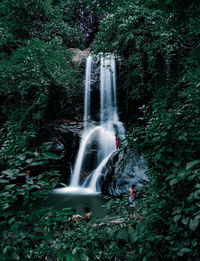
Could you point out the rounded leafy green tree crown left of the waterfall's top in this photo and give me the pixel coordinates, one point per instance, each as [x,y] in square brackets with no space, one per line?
[32,74]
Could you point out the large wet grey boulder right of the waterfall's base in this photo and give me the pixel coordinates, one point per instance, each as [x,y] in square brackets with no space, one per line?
[123,169]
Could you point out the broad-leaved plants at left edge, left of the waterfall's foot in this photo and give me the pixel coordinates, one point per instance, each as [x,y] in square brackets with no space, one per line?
[12,180]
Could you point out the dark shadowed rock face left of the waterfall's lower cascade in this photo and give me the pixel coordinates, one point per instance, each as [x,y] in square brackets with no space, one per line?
[64,135]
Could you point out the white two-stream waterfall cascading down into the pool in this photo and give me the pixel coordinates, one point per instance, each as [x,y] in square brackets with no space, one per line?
[98,142]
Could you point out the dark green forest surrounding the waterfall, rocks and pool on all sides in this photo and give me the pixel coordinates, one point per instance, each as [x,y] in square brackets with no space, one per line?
[158,43]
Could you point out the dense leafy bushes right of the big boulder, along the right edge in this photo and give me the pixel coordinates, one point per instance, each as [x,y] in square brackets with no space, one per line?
[169,142]
